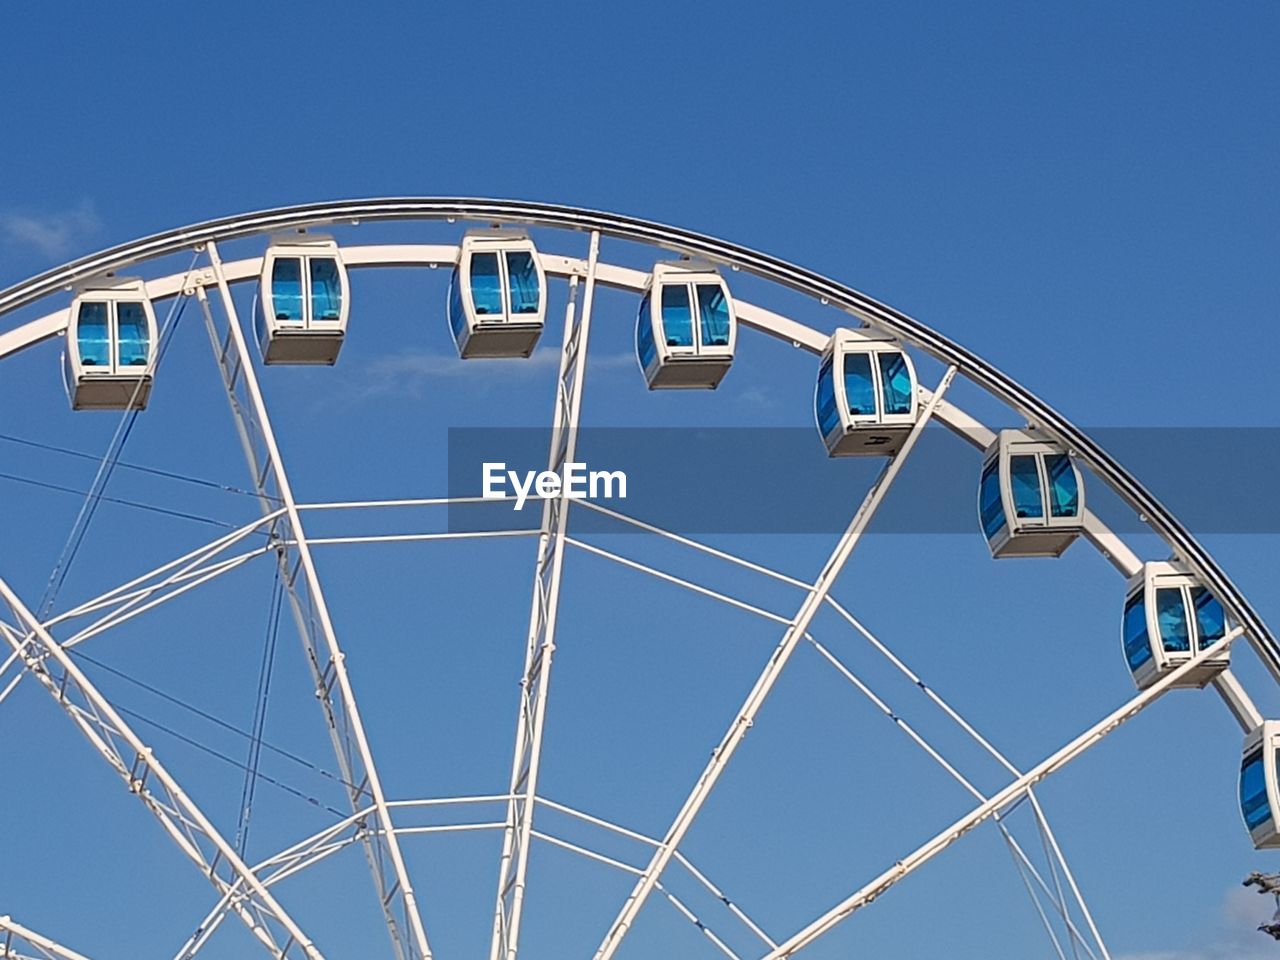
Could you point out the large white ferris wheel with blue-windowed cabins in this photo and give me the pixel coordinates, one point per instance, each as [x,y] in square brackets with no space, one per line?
[877,382]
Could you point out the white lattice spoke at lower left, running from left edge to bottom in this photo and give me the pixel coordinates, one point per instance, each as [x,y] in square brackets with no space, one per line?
[157,789]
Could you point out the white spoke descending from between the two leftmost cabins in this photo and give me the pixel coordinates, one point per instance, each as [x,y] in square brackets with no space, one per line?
[312,615]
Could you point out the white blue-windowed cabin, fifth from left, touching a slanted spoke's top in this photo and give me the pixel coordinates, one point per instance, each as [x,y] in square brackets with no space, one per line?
[866,399]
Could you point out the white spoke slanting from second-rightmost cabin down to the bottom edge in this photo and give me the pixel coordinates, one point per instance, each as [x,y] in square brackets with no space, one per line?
[999,802]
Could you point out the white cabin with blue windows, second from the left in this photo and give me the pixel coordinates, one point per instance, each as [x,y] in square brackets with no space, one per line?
[303,301]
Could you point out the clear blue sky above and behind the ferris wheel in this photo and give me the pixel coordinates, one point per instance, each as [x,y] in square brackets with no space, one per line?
[1084,194]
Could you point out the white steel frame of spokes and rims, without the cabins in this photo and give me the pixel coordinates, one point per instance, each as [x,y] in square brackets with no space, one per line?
[245,893]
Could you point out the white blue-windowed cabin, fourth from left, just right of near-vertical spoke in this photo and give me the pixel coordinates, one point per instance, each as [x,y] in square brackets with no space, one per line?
[687,328]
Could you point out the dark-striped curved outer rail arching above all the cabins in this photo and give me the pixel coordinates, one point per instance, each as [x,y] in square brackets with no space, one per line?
[881,316]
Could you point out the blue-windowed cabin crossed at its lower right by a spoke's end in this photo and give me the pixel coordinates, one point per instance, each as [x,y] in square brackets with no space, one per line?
[1169,618]
